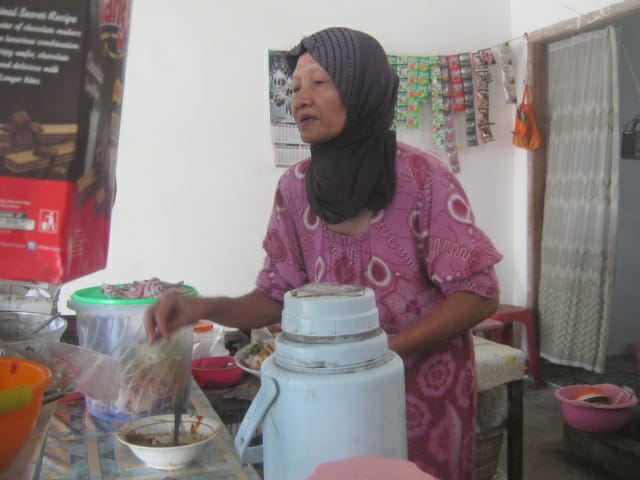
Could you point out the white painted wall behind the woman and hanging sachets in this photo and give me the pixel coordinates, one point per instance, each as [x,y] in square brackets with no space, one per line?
[195,170]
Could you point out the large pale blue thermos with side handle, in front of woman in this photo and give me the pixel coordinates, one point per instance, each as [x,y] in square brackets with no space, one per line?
[332,389]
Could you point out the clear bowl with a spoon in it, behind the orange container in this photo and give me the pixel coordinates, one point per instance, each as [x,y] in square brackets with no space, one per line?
[16,337]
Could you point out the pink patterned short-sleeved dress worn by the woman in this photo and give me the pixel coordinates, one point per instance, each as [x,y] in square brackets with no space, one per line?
[421,248]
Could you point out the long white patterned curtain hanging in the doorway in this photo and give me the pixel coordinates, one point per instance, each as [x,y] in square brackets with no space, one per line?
[581,200]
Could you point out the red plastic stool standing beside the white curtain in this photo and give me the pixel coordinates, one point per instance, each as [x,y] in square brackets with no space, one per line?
[499,327]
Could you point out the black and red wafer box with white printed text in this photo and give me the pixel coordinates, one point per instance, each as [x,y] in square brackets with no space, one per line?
[62,65]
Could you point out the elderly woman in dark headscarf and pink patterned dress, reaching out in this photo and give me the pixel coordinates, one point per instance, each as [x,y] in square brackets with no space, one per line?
[368,211]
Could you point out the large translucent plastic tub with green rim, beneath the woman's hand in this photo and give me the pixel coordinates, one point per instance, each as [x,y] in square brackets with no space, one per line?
[151,376]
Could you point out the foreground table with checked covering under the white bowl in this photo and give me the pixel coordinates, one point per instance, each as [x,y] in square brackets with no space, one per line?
[79,446]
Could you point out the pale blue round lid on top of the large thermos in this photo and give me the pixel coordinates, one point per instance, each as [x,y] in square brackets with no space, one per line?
[329,309]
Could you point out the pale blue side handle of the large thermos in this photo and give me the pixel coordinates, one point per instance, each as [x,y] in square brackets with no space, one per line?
[255,414]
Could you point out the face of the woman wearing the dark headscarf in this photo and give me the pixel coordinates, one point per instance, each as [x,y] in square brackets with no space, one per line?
[317,106]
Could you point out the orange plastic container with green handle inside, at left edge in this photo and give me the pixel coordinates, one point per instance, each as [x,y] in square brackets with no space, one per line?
[16,425]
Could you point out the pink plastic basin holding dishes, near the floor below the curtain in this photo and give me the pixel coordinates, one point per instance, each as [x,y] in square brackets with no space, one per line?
[593,417]
